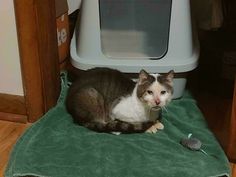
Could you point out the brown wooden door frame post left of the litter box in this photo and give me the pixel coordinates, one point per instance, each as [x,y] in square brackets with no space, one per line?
[37,39]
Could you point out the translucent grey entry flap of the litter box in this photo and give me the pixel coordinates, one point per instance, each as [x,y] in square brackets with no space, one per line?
[134,28]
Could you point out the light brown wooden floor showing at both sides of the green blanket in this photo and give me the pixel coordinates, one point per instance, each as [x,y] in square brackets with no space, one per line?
[10,132]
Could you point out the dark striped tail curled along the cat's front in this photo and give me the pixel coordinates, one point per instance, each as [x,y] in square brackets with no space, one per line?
[119,126]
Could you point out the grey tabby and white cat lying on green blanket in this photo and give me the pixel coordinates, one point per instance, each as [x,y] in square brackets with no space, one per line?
[106,100]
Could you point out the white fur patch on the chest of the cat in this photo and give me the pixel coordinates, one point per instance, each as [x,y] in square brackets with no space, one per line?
[129,109]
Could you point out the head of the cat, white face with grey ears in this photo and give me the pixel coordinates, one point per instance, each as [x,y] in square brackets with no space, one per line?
[155,90]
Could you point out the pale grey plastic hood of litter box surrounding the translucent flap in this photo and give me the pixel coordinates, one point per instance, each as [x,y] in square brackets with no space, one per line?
[182,54]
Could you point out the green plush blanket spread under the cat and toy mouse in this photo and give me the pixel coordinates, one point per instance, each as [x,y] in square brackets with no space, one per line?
[56,147]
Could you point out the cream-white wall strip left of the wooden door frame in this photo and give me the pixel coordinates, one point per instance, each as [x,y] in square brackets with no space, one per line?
[10,72]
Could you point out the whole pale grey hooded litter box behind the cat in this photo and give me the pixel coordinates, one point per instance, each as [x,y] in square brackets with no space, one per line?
[130,35]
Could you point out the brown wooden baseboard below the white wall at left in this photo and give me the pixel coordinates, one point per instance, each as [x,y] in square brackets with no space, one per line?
[12,108]
